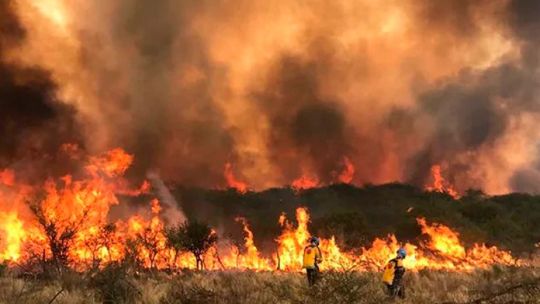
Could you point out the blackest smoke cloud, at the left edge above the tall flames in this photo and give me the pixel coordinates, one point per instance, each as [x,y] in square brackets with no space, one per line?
[32,123]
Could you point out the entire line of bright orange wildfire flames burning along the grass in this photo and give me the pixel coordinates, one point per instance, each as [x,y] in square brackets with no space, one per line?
[76,211]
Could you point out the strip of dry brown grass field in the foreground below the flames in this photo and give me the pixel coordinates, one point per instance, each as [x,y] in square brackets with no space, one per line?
[117,284]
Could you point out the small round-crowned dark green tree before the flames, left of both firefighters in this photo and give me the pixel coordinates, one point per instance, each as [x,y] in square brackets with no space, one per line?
[193,236]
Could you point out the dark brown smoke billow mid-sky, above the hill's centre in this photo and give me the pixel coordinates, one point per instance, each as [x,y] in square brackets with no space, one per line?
[305,126]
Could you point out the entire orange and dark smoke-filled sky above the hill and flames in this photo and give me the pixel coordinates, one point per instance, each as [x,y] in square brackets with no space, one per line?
[280,91]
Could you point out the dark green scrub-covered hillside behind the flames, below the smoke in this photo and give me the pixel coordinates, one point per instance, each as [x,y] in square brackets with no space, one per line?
[356,215]
